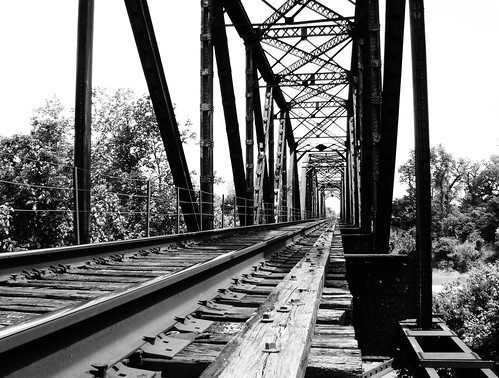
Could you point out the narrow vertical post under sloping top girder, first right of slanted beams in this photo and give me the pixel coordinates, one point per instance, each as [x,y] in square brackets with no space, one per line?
[250,160]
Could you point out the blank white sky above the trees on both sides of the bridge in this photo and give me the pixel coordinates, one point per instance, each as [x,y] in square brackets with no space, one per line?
[38,44]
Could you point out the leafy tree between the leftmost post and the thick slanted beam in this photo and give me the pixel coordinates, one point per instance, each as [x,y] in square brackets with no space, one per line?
[128,153]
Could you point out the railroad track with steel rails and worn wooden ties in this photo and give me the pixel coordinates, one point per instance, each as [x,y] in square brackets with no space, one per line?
[76,309]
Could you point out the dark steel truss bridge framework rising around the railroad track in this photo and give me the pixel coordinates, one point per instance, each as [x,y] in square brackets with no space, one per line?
[321,109]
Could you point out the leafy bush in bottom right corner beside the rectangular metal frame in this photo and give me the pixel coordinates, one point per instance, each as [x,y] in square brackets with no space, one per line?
[472,310]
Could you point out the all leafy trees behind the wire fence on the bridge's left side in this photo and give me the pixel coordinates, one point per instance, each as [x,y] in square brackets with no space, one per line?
[128,157]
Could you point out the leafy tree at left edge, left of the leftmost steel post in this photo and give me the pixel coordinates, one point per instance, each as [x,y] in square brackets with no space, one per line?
[36,174]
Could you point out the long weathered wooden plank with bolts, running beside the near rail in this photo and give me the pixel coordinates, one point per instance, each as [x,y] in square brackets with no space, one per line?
[292,331]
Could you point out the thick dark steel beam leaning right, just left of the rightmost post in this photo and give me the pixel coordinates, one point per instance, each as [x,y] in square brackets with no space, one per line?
[394,43]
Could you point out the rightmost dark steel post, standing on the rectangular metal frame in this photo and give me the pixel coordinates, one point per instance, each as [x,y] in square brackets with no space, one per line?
[422,155]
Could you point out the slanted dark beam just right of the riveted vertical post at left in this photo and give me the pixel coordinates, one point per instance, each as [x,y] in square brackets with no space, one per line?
[229,105]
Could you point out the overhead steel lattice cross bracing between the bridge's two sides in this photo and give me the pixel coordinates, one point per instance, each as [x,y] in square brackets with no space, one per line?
[308,46]
